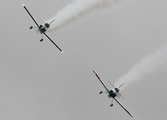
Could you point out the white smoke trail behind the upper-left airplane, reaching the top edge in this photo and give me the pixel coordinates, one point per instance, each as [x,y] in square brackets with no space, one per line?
[76,8]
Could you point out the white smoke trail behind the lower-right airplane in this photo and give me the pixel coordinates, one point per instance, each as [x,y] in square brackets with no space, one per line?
[145,66]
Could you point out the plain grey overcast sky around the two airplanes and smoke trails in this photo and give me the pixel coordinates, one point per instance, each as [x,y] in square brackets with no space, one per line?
[37,82]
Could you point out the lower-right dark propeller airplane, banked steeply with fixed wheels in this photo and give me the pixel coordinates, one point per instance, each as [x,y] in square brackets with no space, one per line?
[112,93]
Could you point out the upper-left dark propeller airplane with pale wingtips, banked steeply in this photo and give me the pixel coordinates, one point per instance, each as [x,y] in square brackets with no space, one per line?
[43,28]
